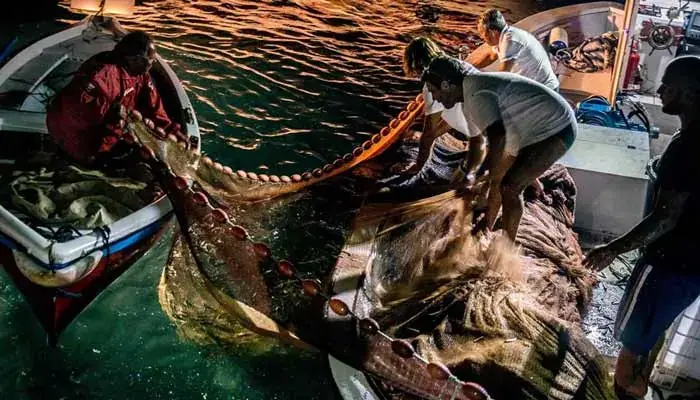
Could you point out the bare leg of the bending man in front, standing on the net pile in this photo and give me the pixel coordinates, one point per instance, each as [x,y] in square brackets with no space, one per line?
[532,162]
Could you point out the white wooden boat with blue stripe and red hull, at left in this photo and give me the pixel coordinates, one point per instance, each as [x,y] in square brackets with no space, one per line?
[59,277]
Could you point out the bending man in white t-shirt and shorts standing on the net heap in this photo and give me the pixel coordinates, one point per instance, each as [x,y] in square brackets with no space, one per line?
[528,127]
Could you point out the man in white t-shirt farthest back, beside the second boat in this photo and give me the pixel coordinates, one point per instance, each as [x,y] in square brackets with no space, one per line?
[517,51]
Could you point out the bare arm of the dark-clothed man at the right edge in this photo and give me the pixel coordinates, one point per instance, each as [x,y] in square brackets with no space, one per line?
[667,210]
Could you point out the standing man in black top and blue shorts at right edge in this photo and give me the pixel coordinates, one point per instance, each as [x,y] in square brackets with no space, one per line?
[666,279]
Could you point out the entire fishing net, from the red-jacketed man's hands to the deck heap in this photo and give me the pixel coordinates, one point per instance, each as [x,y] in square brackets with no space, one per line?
[319,265]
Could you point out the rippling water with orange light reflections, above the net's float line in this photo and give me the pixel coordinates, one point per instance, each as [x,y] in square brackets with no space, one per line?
[279,68]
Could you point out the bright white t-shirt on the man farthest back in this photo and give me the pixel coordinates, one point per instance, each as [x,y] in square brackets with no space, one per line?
[529,57]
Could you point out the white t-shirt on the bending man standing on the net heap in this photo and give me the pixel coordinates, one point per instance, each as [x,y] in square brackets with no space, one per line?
[530,111]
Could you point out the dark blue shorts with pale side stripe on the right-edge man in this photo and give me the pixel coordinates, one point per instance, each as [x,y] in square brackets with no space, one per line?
[654,297]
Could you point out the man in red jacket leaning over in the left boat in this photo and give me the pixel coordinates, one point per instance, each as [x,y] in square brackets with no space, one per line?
[86,118]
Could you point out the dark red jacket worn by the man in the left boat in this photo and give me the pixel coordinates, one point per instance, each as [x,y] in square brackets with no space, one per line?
[76,117]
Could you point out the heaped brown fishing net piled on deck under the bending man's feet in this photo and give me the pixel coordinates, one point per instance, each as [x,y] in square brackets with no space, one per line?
[505,318]
